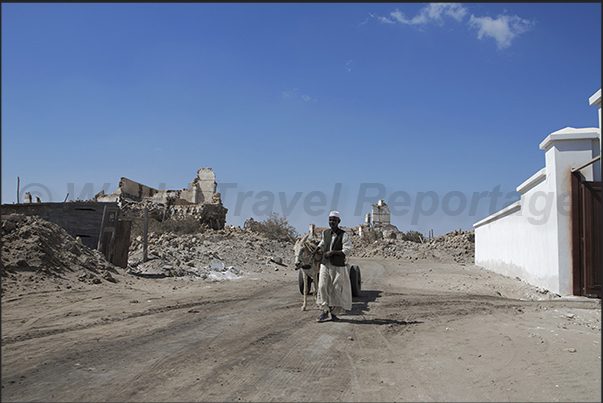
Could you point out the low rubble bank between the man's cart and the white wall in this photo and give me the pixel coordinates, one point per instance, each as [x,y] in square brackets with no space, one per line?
[456,246]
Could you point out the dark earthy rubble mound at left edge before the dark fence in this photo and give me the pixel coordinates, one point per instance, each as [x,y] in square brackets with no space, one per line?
[31,244]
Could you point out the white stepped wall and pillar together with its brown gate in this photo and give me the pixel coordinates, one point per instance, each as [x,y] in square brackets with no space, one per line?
[540,238]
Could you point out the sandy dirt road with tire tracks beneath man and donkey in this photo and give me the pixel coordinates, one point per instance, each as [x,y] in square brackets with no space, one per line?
[419,332]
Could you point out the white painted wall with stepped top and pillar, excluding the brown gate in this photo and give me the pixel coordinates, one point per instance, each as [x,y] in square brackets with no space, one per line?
[531,239]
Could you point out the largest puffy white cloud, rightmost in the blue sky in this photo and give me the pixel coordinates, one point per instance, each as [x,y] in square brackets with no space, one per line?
[503,29]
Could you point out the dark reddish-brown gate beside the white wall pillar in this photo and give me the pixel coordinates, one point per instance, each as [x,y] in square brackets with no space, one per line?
[586,236]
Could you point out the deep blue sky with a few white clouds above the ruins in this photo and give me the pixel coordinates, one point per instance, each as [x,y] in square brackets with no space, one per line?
[297,107]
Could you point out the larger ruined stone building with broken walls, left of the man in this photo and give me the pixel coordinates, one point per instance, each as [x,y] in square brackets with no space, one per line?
[200,200]
